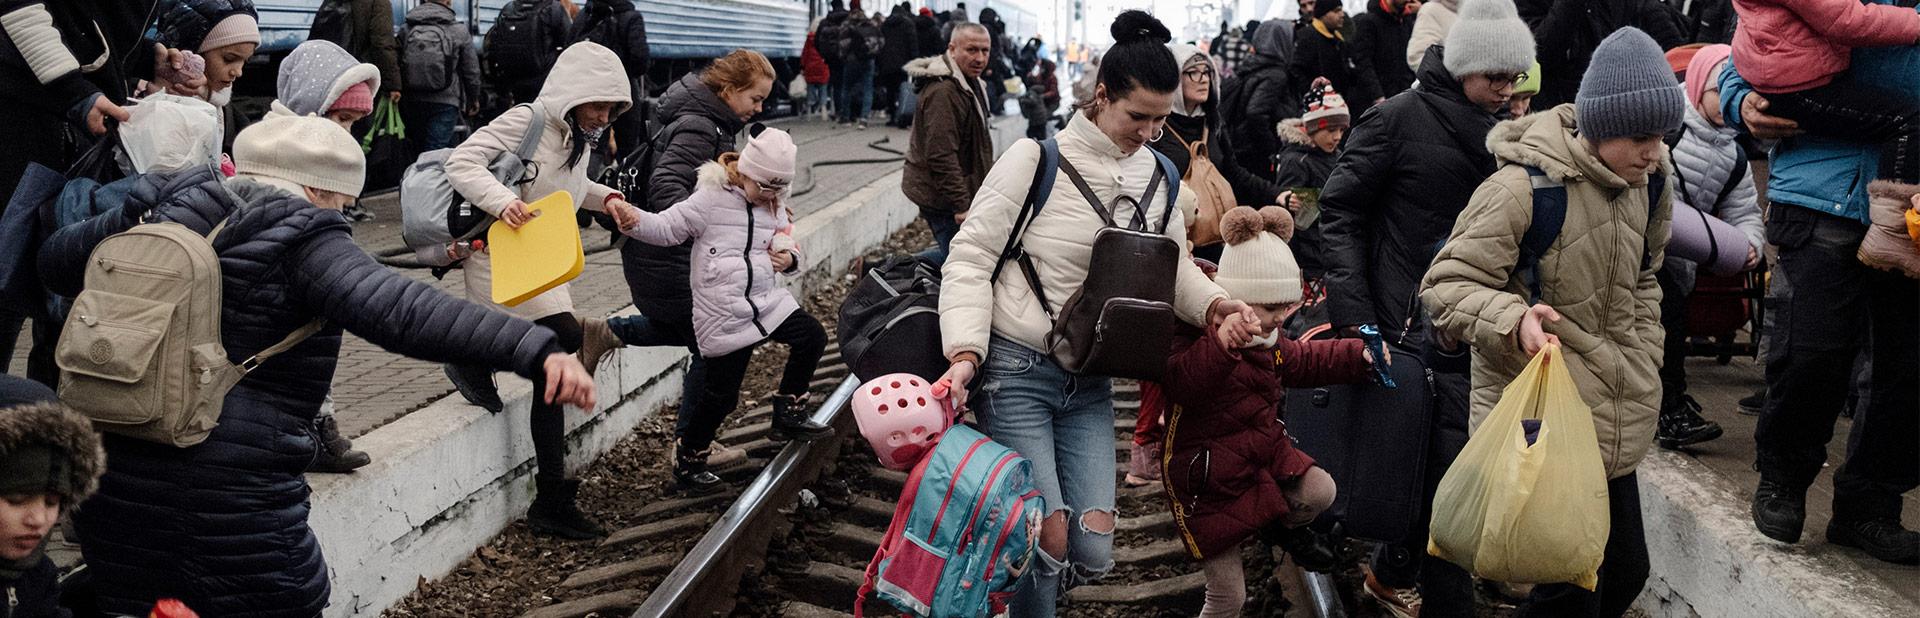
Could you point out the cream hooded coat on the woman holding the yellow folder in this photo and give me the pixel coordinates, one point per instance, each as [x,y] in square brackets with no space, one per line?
[585,74]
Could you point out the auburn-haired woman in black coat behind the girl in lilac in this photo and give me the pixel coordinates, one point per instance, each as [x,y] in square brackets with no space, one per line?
[700,118]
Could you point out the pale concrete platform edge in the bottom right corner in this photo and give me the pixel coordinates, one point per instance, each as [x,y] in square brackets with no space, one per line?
[1710,561]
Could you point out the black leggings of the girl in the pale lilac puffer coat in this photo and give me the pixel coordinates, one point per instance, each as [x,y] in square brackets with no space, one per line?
[805,341]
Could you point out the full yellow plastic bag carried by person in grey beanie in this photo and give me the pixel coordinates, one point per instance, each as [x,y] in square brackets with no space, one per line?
[1527,513]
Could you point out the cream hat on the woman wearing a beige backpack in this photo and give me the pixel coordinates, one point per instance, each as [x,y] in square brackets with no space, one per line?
[306,151]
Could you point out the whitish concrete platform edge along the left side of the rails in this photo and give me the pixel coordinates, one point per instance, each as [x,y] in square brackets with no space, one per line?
[450,477]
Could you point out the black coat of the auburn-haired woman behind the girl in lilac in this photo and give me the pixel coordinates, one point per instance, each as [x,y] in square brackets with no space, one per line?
[696,128]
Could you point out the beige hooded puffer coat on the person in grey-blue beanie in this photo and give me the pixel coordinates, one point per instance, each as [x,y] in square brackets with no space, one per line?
[1593,275]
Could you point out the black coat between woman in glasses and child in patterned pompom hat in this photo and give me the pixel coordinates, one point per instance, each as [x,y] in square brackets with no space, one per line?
[1260,97]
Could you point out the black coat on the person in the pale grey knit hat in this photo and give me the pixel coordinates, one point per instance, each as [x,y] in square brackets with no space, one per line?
[1404,176]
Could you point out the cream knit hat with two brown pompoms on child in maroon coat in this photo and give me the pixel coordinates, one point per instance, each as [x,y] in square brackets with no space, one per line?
[1257,266]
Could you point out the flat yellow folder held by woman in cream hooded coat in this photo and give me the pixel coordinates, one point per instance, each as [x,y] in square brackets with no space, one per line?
[540,256]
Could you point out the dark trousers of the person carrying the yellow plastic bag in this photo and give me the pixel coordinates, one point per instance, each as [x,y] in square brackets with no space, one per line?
[1623,571]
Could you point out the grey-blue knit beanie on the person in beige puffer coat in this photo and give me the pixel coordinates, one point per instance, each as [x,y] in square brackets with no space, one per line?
[1629,89]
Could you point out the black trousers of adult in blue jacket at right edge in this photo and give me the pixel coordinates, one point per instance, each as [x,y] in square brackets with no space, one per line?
[1823,302]
